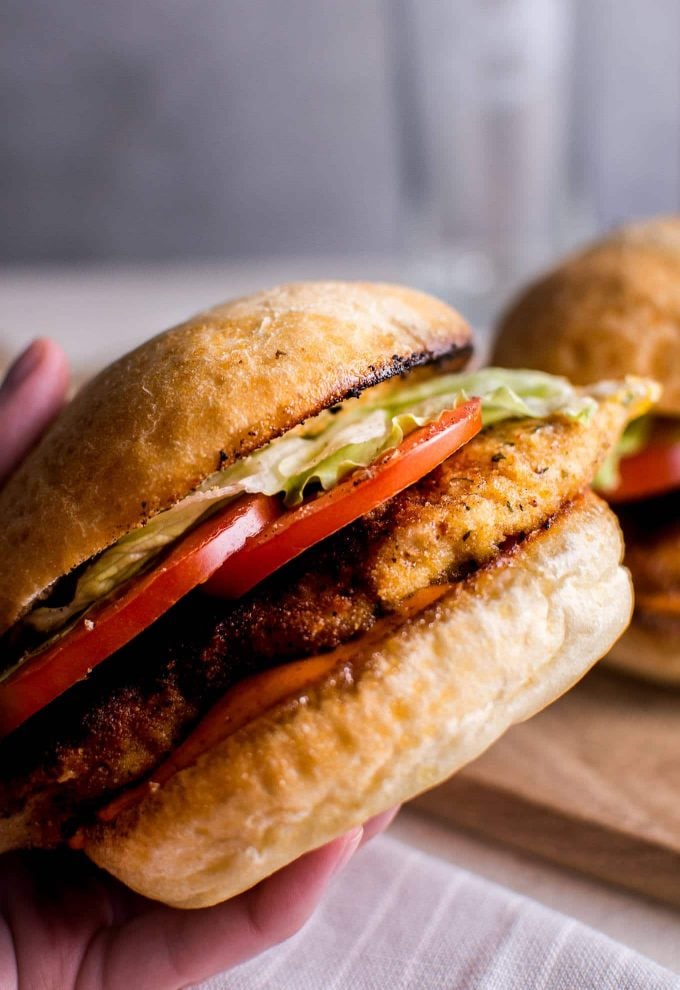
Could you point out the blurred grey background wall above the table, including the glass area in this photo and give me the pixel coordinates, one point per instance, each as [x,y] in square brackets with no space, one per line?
[155,129]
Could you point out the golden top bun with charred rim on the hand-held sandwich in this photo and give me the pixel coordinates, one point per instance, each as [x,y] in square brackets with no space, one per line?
[157,422]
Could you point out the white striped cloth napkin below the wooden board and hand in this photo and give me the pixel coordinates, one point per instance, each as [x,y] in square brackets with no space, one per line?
[397,918]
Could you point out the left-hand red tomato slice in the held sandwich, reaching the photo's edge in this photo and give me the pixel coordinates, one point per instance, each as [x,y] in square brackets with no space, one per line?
[107,627]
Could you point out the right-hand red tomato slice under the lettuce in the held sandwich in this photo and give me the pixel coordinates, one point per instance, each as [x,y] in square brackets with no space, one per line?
[297,530]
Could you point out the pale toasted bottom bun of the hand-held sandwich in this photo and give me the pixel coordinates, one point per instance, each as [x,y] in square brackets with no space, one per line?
[414,706]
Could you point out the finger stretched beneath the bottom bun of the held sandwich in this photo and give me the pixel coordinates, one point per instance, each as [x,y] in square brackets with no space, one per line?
[165,949]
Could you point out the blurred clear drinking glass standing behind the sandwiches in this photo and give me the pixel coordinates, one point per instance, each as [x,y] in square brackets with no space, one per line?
[482,93]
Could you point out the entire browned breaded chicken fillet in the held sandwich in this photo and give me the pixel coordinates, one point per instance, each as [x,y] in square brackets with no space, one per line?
[119,724]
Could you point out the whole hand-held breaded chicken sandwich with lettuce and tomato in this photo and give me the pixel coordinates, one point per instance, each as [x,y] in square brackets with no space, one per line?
[284,566]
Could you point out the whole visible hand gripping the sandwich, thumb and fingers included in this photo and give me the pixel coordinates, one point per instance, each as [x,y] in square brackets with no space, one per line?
[65,924]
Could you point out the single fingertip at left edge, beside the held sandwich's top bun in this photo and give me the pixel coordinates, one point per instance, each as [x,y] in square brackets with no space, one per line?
[31,395]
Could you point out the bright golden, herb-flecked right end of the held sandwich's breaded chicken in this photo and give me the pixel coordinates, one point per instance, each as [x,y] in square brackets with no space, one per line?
[507,480]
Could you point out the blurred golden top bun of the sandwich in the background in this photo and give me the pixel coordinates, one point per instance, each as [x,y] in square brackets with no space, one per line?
[610,310]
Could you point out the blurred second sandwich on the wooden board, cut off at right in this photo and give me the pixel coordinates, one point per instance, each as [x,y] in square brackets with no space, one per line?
[614,309]
